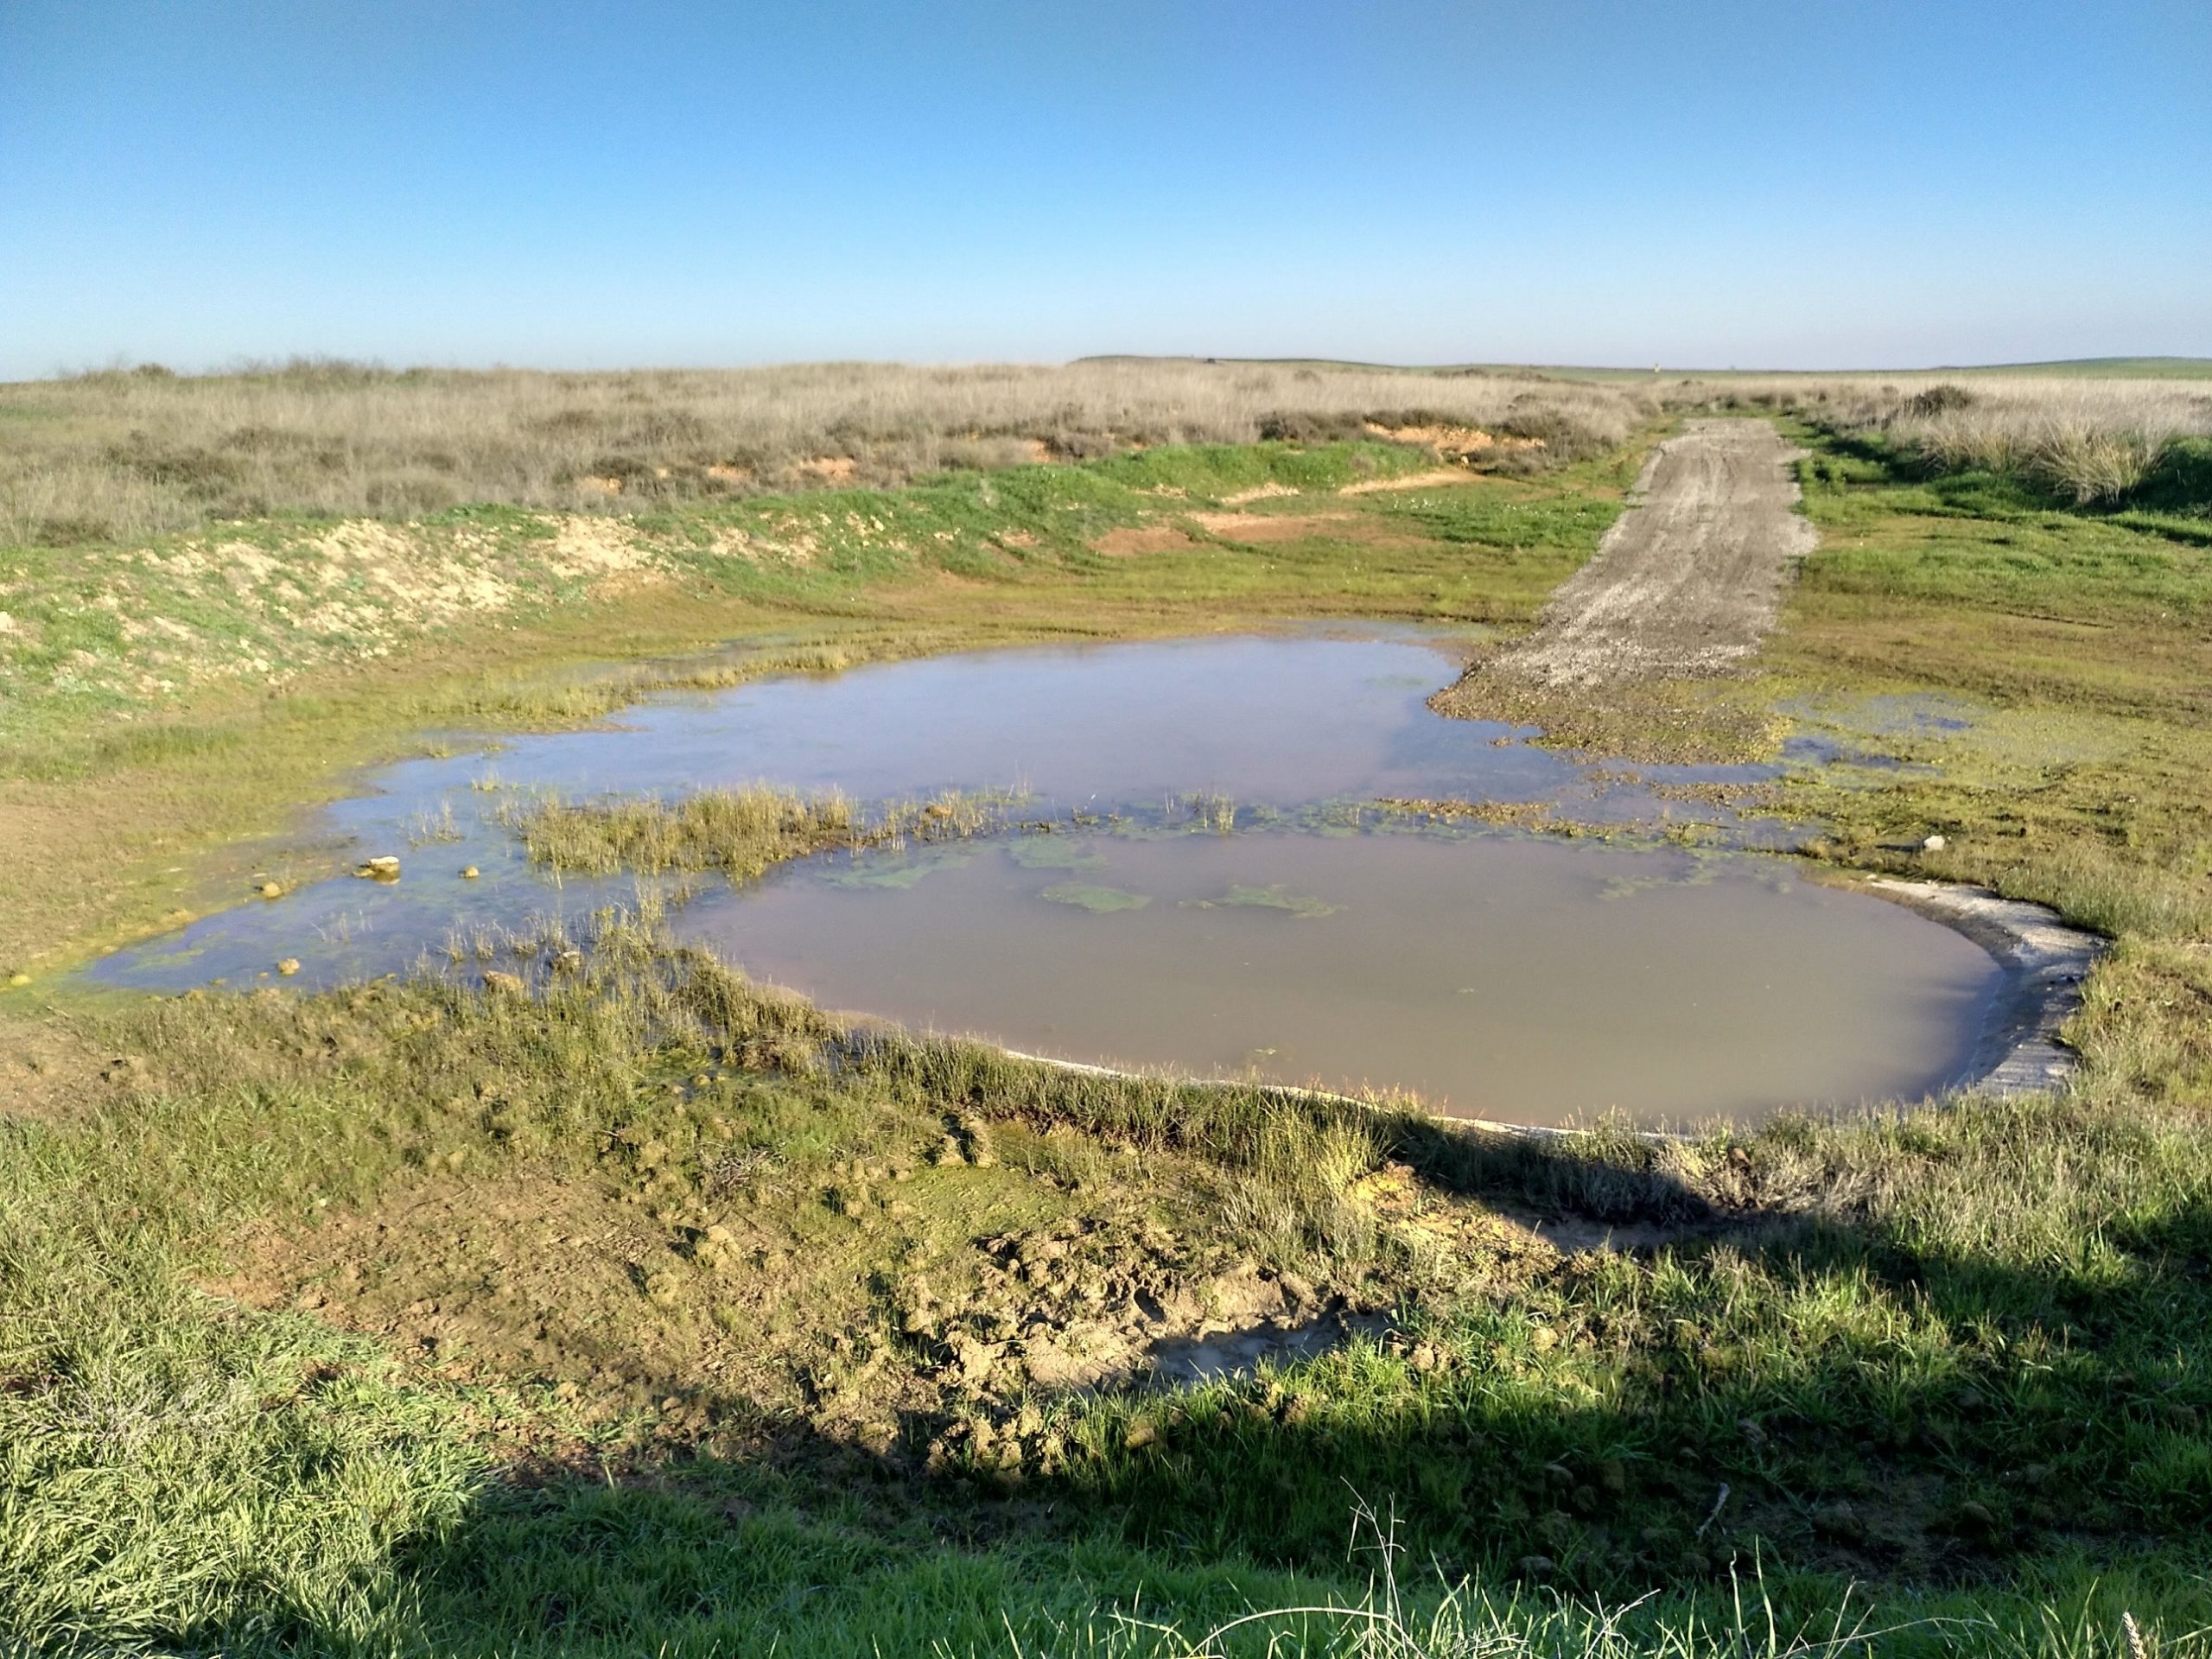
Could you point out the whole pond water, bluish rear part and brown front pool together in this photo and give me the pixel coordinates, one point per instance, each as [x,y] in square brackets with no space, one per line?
[1483,970]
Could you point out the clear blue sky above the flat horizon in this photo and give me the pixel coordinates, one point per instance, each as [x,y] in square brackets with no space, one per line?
[1707,182]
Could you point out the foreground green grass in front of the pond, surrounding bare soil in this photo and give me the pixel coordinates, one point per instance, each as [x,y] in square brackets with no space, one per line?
[1963,1373]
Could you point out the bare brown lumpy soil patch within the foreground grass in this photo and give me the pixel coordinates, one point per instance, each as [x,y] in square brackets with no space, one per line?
[775,1304]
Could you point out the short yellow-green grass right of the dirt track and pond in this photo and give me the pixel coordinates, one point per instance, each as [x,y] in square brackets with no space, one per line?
[2076,645]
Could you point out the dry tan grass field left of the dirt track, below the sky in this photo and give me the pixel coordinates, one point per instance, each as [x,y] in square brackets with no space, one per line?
[125,455]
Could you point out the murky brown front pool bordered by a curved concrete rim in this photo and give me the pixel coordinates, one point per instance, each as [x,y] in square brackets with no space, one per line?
[1496,977]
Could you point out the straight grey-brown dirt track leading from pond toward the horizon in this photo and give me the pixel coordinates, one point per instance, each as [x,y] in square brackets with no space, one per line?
[1689,581]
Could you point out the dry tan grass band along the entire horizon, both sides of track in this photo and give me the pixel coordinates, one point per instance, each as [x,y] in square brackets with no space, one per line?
[125,455]
